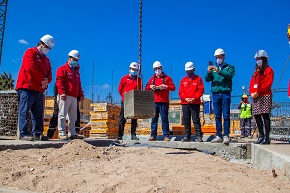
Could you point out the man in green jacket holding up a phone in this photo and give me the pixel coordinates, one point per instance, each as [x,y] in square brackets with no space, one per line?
[220,75]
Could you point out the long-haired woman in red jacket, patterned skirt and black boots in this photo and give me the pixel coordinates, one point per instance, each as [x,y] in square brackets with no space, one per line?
[260,90]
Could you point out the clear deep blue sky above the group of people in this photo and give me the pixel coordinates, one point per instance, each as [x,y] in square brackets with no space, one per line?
[174,32]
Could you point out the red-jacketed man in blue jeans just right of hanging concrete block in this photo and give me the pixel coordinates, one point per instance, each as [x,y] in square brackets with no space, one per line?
[160,84]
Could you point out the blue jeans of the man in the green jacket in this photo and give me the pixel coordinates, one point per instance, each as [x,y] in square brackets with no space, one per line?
[221,106]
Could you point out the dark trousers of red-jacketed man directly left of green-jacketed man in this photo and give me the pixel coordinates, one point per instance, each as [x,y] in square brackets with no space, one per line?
[191,111]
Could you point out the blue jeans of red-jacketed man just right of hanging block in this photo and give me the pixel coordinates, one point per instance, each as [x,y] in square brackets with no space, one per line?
[162,108]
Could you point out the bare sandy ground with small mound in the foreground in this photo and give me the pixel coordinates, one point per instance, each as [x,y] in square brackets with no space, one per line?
[80,167]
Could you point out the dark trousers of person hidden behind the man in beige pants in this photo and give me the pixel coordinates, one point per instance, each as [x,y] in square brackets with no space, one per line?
[54,120]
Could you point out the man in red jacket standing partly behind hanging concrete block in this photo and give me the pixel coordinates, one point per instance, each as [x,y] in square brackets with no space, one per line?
[127,83]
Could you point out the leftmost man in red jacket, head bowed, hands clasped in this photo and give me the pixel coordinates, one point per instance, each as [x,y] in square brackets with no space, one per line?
[33,79]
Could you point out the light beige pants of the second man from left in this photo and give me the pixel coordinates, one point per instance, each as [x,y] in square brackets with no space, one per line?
[67,109]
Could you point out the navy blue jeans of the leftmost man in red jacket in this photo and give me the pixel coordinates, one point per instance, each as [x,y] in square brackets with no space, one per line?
[30,101]
